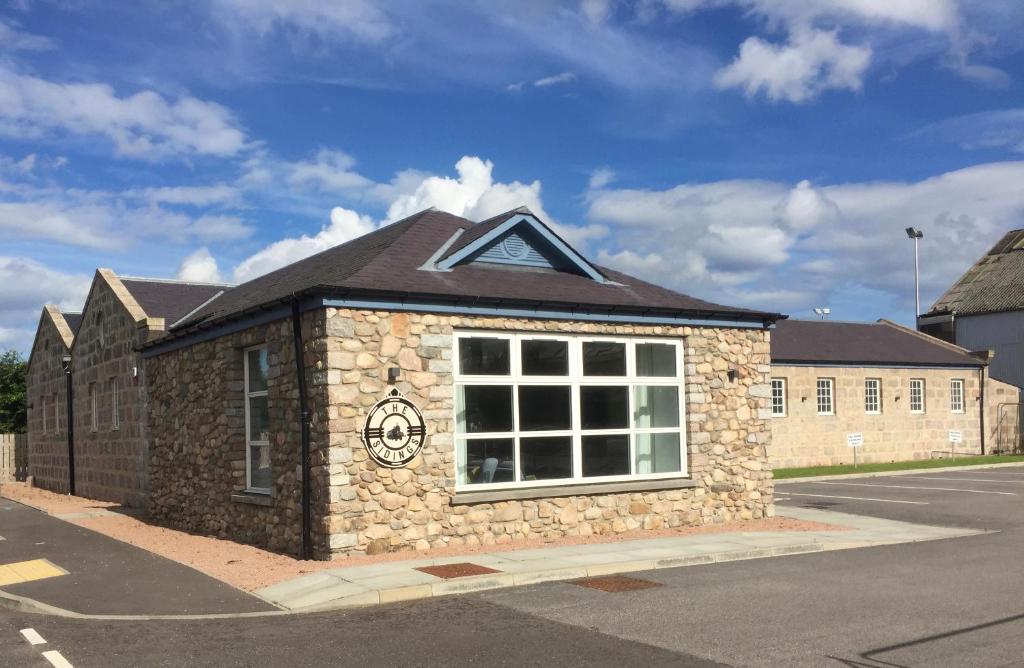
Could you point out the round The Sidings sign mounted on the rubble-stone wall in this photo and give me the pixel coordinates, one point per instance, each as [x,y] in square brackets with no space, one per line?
[395,431]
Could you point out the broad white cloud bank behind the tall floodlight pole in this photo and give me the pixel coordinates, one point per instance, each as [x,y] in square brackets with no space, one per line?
[744,241]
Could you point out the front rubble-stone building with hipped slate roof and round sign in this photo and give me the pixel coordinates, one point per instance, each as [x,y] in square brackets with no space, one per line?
[444,383]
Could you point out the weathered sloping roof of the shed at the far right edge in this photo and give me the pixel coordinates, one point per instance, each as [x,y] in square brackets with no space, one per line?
[995,284]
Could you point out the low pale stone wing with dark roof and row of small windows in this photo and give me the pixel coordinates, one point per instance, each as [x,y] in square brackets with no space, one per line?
[907,395]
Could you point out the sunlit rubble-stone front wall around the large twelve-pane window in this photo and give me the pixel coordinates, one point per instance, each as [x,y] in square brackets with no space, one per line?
[373,510]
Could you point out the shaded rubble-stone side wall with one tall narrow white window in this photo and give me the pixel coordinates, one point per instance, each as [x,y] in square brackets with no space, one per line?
[198,441]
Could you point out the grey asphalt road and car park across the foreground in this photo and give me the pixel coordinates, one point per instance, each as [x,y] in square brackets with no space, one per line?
[950,603]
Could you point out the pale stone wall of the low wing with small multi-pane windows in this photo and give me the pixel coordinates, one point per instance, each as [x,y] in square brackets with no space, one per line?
[803,438]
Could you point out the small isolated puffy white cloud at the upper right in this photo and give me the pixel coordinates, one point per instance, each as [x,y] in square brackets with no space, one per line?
[809,64]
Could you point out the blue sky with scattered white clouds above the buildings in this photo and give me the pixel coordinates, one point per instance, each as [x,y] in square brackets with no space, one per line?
[760,153]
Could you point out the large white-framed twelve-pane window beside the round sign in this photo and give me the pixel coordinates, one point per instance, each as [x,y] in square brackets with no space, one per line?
[535,410]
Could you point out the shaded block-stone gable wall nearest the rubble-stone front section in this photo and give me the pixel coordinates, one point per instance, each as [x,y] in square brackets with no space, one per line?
[110,460]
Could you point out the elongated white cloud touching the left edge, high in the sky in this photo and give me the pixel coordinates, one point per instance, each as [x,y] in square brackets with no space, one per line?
[144,126]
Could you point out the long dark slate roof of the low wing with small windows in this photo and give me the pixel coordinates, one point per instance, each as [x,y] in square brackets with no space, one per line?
[808,342]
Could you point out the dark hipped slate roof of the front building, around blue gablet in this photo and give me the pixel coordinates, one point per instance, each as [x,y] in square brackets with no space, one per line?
[388,264]
